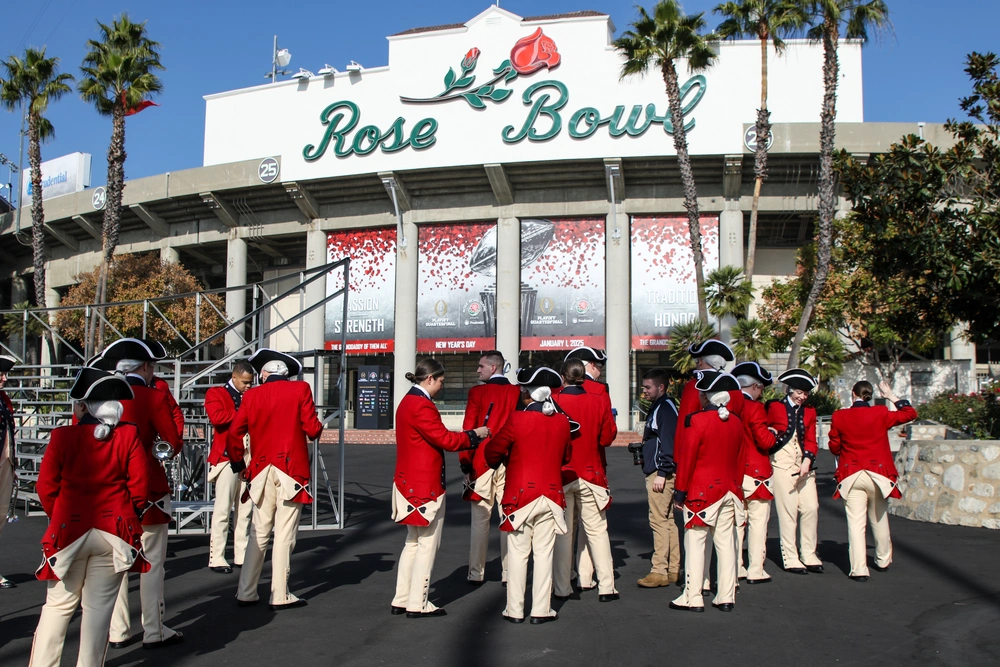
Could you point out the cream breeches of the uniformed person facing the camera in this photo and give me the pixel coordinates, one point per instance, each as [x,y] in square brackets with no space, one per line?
[797,507]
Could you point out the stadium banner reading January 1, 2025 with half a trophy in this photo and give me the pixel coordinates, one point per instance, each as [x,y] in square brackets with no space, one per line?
[562,283]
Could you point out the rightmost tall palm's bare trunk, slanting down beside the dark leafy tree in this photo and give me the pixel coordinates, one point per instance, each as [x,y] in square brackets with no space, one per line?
[824,241]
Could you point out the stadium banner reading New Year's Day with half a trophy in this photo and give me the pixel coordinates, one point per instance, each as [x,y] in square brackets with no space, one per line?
[456,287]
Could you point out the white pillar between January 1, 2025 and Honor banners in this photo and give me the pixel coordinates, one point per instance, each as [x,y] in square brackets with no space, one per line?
[617,313]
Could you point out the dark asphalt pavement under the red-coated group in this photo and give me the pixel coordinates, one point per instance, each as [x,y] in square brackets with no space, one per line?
[938,605]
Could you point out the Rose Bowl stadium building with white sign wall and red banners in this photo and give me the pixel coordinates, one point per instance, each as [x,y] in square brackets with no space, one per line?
[497,185]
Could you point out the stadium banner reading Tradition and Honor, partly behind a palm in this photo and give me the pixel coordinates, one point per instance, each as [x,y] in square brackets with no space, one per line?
[664,290]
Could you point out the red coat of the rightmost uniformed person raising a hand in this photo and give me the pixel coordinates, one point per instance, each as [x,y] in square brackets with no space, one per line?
[859,440]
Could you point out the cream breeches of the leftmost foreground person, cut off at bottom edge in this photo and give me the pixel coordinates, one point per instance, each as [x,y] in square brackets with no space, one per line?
[92,581]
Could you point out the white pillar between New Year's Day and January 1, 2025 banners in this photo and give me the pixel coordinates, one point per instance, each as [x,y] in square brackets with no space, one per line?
[508,306]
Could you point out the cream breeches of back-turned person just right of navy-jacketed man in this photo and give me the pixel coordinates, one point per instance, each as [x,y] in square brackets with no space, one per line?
[723,536]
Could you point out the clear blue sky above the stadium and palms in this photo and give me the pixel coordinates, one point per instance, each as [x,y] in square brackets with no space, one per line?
[217,45]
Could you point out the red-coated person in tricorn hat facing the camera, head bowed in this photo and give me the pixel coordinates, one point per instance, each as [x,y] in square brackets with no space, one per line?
[794,480]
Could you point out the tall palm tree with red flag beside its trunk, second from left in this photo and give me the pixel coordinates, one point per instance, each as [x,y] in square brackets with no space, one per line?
[118,80]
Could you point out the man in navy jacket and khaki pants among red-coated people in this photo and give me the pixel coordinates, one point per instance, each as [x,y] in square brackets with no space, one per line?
[658,466]
